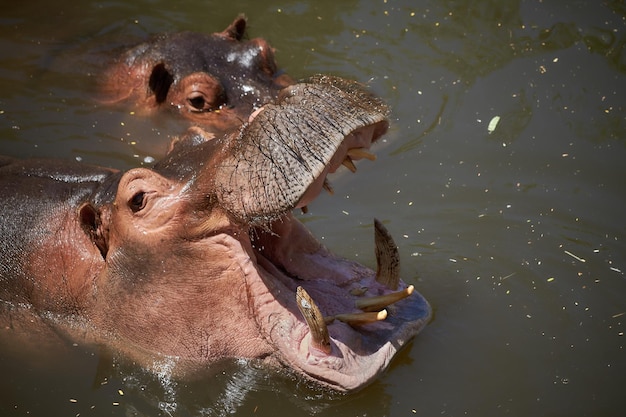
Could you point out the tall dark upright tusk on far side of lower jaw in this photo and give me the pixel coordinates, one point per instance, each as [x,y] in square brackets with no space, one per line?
[387,257]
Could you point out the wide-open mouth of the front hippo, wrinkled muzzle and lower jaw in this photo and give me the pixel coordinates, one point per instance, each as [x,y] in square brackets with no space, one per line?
[335,320]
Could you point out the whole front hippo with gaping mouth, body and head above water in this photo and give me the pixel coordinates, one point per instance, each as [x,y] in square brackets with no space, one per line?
[199,258]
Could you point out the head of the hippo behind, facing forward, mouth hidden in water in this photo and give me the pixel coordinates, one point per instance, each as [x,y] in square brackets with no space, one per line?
[213,80]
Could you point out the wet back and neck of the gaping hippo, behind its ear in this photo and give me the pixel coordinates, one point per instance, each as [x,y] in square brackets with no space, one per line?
[39,234]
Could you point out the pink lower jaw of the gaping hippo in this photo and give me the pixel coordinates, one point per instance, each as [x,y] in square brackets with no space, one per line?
[355,352]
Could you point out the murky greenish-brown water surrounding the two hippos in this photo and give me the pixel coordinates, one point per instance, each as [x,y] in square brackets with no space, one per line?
[517,237]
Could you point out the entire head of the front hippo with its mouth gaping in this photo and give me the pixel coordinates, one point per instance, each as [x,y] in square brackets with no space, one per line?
[204,259]
